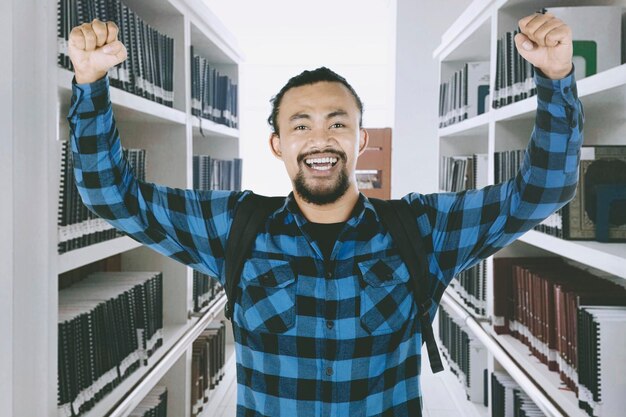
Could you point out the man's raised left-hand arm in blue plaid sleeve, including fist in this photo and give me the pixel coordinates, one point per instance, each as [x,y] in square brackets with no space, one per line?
[190,226]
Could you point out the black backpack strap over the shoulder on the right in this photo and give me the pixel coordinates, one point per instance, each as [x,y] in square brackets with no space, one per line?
[400,220]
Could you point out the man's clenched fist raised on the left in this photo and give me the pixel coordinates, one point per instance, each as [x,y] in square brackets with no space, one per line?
[94,49]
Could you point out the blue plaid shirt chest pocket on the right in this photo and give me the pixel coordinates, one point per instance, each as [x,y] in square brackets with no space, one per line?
[386,299]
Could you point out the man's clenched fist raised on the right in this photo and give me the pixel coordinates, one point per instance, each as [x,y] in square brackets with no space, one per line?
[546,42]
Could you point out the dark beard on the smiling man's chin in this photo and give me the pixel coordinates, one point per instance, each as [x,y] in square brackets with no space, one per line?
[323,194]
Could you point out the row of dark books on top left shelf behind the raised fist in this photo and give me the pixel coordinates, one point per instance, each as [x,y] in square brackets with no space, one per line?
[149,69]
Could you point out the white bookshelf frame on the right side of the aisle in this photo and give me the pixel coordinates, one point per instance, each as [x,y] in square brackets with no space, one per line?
[473,37]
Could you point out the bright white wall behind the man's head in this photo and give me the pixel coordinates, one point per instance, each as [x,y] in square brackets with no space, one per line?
[281,38]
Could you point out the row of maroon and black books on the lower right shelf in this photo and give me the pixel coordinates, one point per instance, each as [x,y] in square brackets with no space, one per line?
[538,301]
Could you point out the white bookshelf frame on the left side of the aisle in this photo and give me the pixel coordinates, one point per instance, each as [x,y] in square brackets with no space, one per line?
[31,264]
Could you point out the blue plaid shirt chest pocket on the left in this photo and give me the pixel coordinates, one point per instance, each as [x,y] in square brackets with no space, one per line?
[268,297]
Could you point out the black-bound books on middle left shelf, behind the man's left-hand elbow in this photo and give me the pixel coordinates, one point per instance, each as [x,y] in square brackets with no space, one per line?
[77,225]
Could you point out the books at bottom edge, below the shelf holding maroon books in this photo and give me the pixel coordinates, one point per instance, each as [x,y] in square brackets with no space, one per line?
[509,400]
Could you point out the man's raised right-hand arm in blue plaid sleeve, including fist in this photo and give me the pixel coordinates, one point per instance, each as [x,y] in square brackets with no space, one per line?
[471,225]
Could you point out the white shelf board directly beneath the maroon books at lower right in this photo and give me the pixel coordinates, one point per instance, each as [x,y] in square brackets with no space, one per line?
[548,380]
